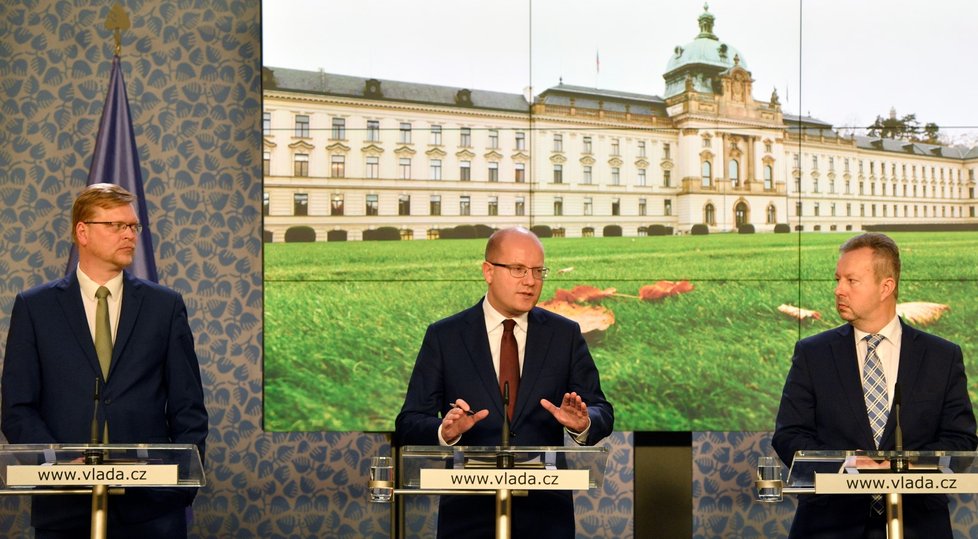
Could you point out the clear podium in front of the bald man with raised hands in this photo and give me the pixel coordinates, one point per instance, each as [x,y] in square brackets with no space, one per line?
[497,471]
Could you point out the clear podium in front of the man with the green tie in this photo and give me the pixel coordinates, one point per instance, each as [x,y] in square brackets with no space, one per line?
[97,471]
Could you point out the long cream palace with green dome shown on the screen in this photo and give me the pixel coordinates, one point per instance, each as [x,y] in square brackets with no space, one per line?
[347,158]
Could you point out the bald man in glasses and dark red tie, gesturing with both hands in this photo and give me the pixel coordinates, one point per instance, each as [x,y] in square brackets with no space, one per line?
[458,371]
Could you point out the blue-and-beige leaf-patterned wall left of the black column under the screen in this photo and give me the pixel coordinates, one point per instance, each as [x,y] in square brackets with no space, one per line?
[192,70]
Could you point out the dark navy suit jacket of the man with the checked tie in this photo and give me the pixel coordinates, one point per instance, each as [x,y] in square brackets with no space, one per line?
[822,407]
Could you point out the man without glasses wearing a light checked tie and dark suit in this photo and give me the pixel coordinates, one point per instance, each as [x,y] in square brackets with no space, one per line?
[824,405]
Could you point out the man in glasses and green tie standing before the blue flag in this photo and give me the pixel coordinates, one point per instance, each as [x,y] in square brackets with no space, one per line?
[141,354]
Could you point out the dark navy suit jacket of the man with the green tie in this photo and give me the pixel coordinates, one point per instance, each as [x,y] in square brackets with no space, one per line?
[153,393]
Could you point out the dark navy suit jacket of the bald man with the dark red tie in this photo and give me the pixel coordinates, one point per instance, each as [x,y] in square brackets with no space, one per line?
[455,362]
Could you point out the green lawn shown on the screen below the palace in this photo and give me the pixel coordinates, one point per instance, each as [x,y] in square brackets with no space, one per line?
[343,321]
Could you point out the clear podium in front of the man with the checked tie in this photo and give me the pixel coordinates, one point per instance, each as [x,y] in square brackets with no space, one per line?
[888,473]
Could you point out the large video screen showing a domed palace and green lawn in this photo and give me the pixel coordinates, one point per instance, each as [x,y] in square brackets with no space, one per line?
[691,170]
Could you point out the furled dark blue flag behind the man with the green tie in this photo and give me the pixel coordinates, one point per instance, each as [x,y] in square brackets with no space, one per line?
[116,160]
